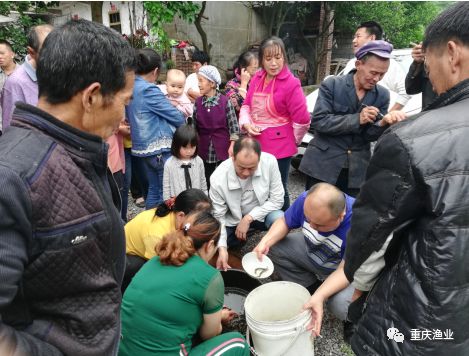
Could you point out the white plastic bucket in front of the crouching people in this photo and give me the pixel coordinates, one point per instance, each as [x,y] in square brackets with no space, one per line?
[276,320]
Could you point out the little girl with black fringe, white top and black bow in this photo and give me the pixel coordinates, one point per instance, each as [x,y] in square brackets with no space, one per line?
[184,169]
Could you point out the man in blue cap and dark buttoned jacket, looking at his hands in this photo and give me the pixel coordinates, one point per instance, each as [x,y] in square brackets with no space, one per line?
[351,112]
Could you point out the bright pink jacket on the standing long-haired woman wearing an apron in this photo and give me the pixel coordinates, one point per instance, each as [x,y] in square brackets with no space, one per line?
[289,101]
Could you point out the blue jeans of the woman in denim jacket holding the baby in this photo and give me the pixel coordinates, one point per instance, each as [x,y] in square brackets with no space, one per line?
[154,167]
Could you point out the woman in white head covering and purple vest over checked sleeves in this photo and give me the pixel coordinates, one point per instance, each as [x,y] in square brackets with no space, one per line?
[215,120]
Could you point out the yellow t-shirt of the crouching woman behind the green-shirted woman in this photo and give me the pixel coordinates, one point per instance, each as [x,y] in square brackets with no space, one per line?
[145,230]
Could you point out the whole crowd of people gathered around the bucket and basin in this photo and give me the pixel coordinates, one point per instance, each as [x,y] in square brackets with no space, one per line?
[382,239]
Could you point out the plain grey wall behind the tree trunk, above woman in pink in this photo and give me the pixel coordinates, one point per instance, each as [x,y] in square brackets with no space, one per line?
[231,27]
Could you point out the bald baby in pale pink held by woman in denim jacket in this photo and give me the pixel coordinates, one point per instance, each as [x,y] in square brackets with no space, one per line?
[174,91]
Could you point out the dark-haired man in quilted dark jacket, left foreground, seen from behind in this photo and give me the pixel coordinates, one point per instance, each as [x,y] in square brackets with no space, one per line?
[62,245]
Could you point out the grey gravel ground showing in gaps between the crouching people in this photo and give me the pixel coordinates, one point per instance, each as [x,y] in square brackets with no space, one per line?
[331,343]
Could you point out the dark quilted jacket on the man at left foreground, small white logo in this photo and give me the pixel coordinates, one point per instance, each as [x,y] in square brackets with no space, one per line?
[62,244]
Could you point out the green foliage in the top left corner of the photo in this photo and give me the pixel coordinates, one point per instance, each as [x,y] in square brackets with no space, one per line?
[16,32]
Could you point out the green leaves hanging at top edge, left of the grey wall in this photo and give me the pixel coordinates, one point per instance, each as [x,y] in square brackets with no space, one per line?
[164,12]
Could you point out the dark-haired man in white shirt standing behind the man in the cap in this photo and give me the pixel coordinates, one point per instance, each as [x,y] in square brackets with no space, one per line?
[394,79]
